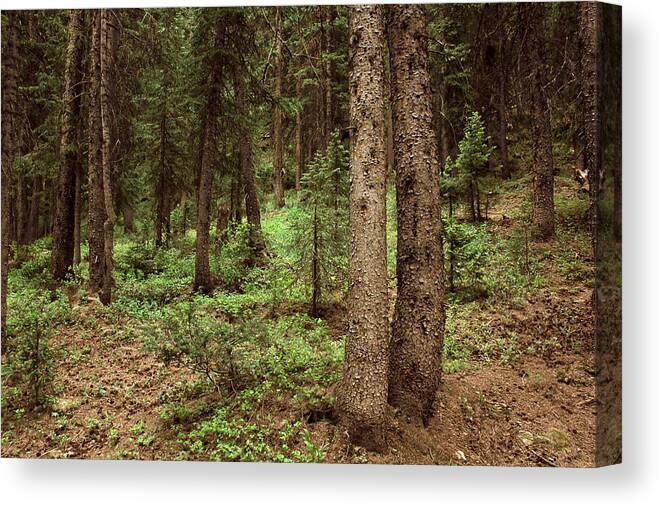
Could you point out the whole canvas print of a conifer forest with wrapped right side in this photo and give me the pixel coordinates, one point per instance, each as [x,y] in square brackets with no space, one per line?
[319,234]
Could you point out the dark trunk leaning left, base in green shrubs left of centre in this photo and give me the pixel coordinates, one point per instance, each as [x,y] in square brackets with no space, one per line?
[251,199]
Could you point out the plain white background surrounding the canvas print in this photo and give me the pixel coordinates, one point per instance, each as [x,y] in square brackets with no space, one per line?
[636,482]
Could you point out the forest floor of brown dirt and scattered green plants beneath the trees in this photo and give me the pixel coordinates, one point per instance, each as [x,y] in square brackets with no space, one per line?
[518,385]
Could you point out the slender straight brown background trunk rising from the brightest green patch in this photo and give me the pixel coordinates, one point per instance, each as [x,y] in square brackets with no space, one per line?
[278,168]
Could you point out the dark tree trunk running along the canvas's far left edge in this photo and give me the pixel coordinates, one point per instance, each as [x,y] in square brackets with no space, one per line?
[9,122]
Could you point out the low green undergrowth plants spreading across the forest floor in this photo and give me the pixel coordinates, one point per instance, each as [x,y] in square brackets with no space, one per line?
[255,372]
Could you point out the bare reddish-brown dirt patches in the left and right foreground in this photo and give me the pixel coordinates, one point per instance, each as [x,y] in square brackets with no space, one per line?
[530,414]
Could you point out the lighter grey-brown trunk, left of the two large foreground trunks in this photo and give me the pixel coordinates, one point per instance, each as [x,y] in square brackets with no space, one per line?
[362,398]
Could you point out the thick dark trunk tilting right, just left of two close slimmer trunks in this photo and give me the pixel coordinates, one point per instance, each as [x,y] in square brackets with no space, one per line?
[65,204]
